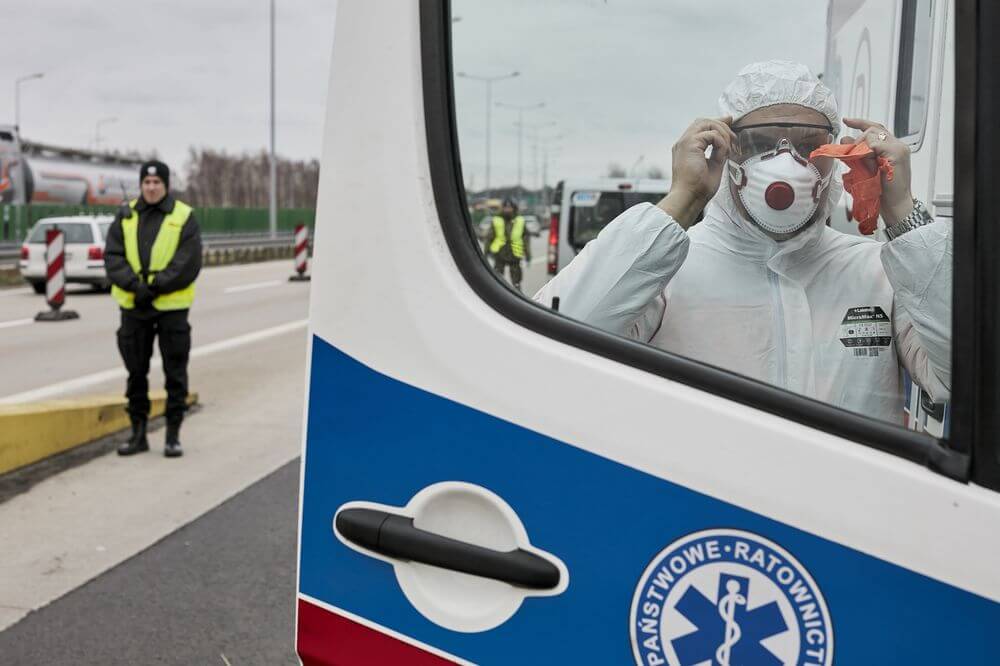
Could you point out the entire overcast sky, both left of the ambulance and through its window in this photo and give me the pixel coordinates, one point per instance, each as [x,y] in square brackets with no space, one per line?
[620,79]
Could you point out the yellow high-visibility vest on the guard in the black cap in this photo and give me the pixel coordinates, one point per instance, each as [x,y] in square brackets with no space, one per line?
[164,248]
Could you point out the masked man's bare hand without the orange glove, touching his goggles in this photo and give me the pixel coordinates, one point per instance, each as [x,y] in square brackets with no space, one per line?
[695,178]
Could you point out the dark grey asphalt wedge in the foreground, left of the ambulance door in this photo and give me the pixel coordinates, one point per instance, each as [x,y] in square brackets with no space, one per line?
[220,590]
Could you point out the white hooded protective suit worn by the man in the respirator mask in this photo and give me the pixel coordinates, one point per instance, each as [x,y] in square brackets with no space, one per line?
[824,314]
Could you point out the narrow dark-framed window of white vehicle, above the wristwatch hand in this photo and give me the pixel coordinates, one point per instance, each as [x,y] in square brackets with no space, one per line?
[915,54]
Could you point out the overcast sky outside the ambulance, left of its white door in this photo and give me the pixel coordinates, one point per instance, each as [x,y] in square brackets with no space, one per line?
[176,74]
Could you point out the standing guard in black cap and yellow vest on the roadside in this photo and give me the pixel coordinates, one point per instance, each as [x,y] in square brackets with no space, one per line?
[152,256]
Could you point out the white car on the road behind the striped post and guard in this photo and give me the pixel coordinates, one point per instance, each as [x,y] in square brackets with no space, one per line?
[84,258]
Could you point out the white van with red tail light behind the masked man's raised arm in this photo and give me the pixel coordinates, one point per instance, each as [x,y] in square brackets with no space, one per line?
[581,208]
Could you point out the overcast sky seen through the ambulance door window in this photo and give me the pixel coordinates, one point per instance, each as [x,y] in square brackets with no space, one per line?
[621,79]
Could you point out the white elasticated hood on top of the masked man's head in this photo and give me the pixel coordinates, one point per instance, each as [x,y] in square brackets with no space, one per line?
[771,82]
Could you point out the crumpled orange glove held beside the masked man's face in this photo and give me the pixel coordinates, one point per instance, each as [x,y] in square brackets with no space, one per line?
[864,180]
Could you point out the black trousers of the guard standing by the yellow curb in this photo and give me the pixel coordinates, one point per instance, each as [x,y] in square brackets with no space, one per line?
[135,343]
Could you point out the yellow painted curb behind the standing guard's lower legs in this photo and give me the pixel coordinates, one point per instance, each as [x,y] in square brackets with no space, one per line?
[34,431]
